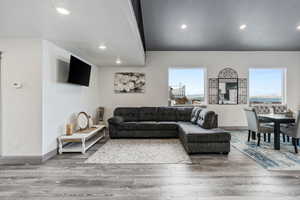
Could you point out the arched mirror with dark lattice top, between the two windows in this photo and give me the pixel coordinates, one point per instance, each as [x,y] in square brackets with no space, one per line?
[228,86]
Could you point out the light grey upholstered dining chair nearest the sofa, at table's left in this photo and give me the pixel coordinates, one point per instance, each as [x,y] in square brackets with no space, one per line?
[255,126]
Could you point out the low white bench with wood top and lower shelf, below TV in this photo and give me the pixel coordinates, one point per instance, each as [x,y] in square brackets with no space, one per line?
[81,140]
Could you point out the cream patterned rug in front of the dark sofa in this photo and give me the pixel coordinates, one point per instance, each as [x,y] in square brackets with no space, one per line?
[141,151]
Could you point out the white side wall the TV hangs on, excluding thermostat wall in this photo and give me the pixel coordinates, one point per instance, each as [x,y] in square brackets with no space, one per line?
[62,101]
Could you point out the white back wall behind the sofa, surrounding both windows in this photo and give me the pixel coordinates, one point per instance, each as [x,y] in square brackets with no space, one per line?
[158,63]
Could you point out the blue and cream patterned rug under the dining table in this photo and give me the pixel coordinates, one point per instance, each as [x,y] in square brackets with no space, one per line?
[265,155]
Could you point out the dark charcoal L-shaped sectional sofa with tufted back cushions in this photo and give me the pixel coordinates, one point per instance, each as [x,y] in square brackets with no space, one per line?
[196,127]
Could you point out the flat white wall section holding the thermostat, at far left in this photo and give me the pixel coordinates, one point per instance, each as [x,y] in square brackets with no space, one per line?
[21,108]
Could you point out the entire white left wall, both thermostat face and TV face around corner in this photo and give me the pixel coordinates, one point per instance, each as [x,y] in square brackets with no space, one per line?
[34,115]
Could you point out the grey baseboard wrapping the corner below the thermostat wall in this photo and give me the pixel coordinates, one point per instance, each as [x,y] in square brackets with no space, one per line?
[21,160]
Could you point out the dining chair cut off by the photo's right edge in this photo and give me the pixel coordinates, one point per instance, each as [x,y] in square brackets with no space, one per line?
[293,132]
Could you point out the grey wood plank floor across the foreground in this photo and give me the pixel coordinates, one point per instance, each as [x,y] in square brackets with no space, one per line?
[215,177]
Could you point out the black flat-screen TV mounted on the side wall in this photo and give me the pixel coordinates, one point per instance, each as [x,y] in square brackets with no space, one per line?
[79,72]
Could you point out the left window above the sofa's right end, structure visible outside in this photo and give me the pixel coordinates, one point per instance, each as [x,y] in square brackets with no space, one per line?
[186,86]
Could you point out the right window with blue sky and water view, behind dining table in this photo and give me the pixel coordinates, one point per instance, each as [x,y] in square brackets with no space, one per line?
[266,86]
